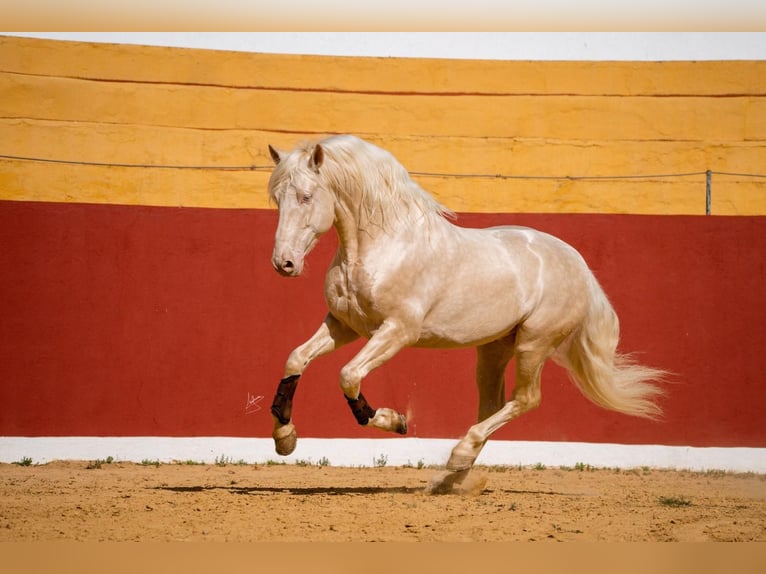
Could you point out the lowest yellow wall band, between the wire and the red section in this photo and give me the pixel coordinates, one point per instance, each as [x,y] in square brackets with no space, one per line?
[30,181]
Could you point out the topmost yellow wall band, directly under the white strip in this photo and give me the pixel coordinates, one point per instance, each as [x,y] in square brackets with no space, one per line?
[384,75]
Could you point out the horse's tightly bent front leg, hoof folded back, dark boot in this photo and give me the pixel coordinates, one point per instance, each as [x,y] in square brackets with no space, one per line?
[388,340]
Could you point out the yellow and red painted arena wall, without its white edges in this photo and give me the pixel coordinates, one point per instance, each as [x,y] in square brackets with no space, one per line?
[136,290]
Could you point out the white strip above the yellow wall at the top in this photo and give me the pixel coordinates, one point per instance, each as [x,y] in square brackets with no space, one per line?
[641,46]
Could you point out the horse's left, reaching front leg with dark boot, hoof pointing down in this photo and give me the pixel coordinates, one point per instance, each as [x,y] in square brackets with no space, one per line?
[331,335]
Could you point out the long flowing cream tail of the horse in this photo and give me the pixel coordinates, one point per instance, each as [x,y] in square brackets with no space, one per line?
[609,379]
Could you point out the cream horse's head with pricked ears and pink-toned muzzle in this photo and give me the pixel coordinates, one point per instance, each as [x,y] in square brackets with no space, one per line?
[306,206]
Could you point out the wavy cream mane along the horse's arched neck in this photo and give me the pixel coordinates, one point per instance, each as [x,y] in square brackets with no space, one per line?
[374,180]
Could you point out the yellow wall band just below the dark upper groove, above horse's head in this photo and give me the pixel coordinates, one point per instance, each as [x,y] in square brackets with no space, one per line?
[560,116]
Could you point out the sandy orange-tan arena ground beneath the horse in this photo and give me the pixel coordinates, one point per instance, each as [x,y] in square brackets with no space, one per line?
[230,502]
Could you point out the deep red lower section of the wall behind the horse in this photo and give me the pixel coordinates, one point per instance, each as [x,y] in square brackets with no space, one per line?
[140,321]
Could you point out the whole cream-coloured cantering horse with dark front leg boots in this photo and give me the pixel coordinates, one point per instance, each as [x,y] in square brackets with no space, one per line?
[404,275]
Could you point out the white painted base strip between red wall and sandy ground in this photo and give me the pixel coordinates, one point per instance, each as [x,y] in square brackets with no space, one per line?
[372,452]
